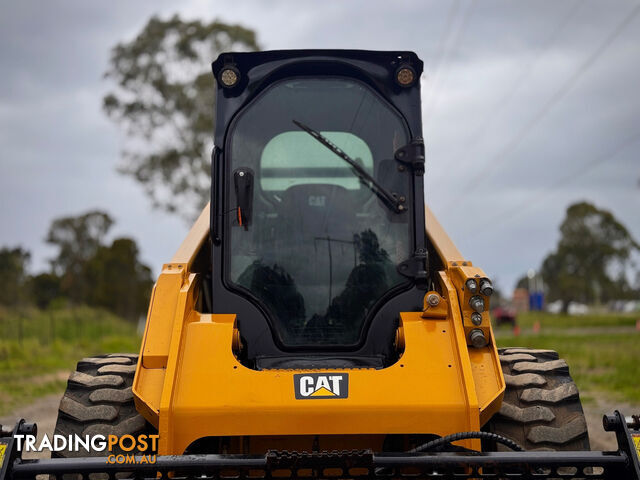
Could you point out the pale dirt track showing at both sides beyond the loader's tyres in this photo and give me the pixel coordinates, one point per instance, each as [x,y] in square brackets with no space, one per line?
[45,410]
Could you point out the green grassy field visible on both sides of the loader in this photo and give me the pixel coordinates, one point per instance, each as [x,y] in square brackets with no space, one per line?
[39,348]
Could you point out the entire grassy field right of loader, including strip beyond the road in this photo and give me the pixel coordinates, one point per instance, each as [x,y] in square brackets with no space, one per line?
[601,357]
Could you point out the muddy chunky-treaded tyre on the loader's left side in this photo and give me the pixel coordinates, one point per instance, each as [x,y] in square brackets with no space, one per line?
[98,400]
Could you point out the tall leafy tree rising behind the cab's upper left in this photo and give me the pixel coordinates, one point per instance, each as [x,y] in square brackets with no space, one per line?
[164,99]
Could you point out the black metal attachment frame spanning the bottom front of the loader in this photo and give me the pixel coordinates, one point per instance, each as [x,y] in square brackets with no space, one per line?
[351,464]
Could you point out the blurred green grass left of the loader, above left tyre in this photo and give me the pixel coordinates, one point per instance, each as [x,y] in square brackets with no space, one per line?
[39,348]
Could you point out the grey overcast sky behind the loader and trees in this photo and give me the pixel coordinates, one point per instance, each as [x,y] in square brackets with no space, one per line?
[528,107]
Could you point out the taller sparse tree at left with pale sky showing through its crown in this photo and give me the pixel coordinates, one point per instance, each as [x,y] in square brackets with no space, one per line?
[77,240]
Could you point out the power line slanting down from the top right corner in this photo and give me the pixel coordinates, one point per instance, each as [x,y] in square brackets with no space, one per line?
[555,98]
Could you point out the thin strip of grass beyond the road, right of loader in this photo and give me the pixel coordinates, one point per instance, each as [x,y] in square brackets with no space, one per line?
[561,321]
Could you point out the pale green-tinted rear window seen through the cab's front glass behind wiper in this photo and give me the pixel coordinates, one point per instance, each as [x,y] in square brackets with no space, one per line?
[295,158]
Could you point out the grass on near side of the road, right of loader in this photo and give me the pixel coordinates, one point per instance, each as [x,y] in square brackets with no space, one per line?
[599,363]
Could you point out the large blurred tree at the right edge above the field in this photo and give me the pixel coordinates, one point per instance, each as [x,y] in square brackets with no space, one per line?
[590,263]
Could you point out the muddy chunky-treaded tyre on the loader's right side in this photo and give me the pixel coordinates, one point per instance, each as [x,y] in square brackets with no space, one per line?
[541,409]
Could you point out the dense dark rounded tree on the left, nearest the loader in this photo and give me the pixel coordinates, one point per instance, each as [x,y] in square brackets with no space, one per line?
[117,280]
